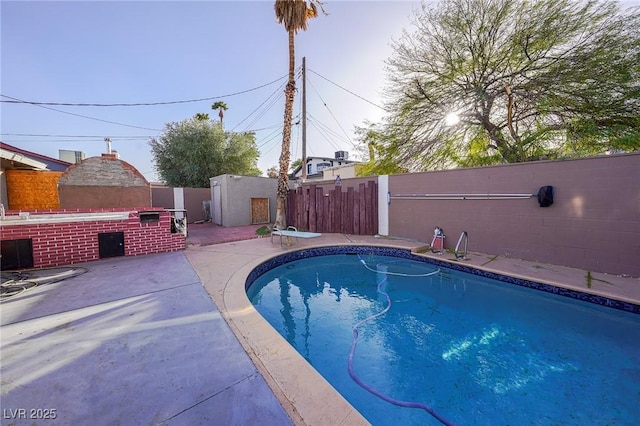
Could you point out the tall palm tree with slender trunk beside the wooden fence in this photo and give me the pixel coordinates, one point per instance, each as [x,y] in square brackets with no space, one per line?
[294,15]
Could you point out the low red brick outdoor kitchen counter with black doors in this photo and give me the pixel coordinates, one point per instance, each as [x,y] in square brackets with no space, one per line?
[56,244]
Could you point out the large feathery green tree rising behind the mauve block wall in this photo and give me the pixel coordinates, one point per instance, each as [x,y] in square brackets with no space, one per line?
[526,79]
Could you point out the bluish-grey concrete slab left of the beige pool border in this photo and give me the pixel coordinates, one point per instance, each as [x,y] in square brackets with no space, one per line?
[133,341]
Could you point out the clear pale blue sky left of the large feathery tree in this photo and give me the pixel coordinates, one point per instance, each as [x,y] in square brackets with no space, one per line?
[135,52]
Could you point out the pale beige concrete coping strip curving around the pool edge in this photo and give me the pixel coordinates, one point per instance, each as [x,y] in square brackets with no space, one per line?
[305,394]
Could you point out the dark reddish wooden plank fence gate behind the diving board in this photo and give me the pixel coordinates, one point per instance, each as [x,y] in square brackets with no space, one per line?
[341,210]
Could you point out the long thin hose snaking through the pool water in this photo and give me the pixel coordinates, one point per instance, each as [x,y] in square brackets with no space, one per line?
[354,376]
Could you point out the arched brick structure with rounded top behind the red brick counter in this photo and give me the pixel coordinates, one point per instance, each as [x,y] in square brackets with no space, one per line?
[103,182]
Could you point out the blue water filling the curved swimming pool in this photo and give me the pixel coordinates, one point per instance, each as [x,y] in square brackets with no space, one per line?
[475,350]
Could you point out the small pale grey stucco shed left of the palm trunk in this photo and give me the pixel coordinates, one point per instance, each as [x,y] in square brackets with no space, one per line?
[236,193]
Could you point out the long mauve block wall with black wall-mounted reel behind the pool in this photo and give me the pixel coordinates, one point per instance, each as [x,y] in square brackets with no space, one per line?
[593,224]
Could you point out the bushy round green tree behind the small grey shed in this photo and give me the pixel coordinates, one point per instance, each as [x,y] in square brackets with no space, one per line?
[191,151]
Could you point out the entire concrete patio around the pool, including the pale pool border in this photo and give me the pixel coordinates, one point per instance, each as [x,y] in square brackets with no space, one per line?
[172,339]
